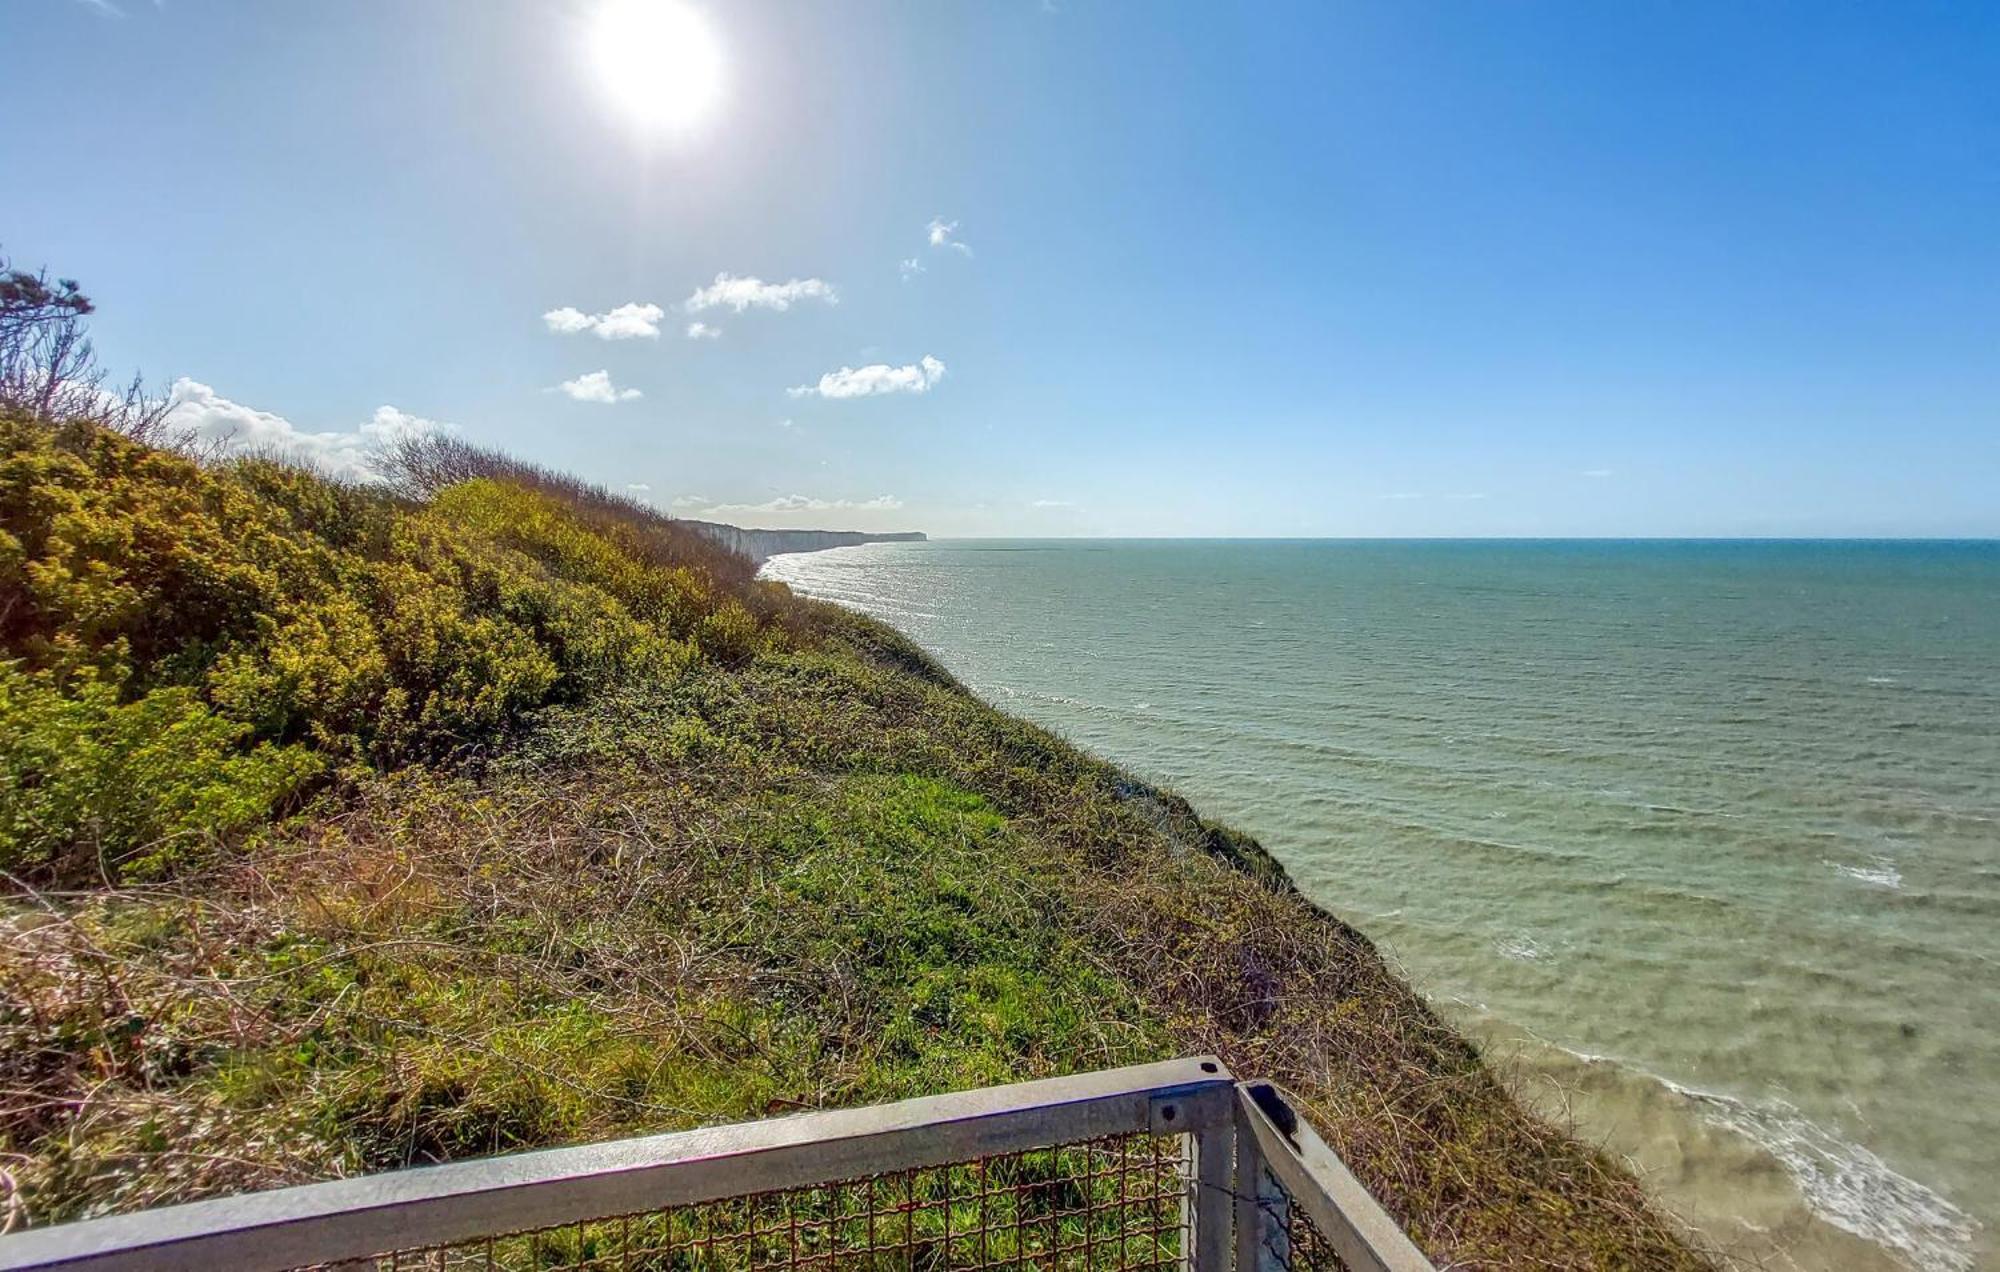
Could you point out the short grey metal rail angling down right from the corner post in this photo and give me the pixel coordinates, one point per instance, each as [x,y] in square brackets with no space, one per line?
[1315,1179]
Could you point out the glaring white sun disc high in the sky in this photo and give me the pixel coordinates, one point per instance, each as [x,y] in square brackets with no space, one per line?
[657,61]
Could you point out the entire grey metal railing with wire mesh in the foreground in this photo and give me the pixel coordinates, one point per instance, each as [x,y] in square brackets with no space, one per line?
[1155,1167]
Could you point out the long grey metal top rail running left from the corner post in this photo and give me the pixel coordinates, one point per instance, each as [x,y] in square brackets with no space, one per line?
[461,1201]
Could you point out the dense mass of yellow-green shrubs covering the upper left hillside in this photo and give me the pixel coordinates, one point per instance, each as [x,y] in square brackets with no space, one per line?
[287,609]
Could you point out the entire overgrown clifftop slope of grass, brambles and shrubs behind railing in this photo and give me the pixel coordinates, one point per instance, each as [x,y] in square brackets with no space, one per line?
[773,859]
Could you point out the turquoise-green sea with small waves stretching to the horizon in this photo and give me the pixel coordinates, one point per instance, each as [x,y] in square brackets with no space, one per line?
[1701,837]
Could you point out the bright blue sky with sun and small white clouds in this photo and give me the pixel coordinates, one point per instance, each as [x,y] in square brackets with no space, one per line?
[1061,269]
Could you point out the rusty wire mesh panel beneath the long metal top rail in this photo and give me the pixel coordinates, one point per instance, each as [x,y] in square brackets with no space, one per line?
[1113,1205]
